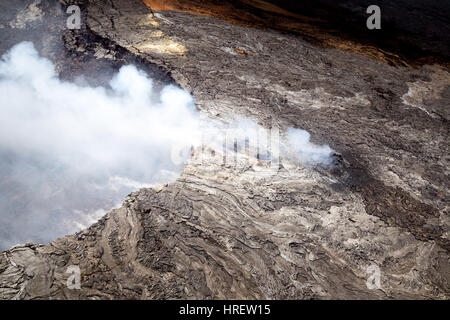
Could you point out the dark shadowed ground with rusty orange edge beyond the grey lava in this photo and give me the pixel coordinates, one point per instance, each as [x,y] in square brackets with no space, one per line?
[411,33]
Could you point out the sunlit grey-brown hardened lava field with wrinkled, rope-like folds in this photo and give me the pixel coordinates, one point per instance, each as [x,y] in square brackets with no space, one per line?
[226,231]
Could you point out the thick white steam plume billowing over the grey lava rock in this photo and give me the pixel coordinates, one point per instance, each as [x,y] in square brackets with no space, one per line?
[67,152]
